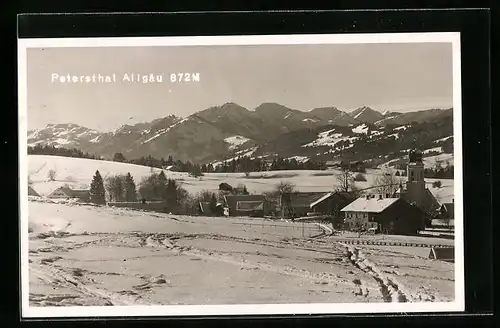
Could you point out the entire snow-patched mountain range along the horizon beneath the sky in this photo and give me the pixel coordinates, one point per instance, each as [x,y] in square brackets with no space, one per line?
[223,132]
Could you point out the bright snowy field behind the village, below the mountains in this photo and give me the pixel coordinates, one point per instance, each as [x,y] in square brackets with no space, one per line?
[78,173]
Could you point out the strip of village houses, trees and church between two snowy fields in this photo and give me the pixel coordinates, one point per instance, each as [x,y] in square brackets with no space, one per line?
[395,208]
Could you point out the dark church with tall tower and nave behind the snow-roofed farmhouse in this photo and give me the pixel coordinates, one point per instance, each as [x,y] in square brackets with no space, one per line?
[415,192]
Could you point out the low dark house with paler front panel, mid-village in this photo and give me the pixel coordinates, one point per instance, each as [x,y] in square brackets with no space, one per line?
[245,205]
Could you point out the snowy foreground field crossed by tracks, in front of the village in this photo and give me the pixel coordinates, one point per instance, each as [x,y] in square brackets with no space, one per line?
[90,255]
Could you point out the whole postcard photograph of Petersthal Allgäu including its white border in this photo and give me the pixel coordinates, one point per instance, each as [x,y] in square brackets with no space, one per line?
[278,174]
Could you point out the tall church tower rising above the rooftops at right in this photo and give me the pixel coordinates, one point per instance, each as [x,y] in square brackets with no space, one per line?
[415,186]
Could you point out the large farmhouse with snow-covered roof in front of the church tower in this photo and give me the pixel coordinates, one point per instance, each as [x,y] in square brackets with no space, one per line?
[386,214]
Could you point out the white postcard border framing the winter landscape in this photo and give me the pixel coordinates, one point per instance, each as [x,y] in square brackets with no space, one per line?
[241,309]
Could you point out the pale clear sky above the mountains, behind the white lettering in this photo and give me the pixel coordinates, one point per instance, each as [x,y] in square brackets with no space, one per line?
[396,76]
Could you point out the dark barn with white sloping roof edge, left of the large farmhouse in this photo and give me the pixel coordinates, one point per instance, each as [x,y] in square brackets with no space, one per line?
[299,204]
